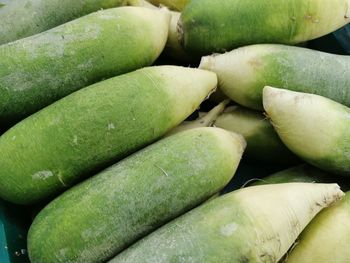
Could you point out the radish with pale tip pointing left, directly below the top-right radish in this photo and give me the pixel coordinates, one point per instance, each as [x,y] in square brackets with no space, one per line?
[244,72]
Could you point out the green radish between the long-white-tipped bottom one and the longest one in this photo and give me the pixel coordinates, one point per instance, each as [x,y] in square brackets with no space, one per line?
[103,215]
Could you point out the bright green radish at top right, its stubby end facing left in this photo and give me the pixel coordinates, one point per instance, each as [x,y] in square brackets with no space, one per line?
[208,26]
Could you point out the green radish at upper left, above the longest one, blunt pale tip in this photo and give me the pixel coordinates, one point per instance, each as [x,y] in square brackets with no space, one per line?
[36,71]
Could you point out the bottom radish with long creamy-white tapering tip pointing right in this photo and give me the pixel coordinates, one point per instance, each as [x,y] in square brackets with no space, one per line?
[253,224]
